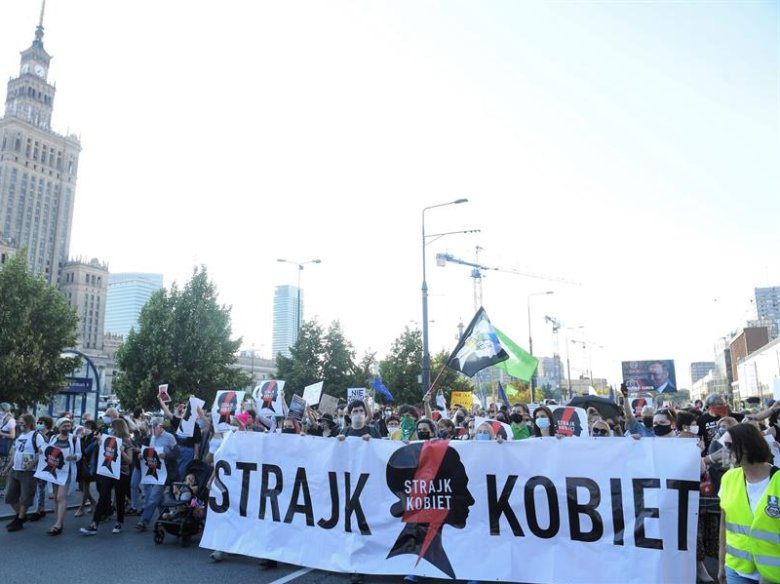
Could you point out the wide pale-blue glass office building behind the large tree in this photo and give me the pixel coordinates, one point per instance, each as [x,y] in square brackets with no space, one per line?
[127,295]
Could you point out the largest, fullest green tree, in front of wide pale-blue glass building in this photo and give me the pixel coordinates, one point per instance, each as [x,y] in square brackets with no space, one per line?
[184,340]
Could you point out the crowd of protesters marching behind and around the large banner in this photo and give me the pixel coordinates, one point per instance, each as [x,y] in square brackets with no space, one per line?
[731,442]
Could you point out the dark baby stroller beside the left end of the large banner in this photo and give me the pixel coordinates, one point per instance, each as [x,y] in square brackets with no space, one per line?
[183,513]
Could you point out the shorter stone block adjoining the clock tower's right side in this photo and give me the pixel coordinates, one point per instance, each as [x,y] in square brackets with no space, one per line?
[85,285]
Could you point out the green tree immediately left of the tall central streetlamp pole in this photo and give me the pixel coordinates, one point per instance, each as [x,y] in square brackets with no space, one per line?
[403,365]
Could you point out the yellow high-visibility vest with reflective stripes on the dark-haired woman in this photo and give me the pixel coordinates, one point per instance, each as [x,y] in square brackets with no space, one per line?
[752,541]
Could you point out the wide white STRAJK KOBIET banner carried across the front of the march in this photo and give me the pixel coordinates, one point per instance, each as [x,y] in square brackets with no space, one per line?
[619,510]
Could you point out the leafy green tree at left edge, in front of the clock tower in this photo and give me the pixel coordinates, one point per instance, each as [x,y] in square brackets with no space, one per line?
[36,324]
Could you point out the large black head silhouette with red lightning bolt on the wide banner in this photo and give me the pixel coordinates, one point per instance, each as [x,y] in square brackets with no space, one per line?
[431,484]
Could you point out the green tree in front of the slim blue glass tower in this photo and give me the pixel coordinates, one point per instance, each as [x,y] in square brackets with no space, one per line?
[304,366]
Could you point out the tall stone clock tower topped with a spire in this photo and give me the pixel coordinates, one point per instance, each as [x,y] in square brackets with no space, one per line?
[38,167]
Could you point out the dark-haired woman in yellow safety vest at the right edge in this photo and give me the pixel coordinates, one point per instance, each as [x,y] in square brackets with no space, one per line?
[750,511]
